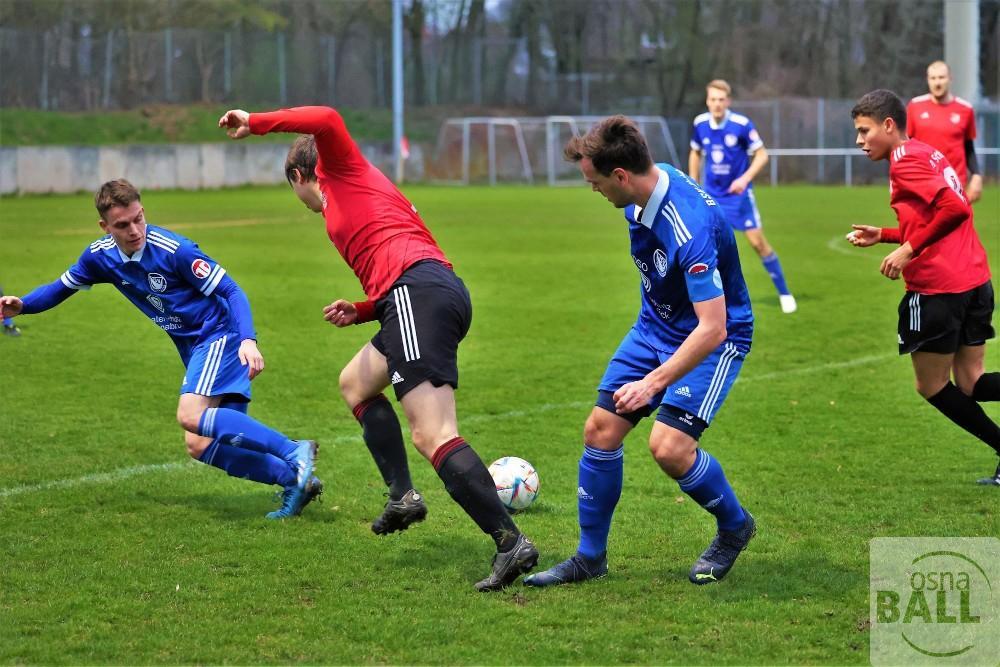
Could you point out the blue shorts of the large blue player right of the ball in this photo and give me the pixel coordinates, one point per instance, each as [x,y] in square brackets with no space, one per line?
[701,392]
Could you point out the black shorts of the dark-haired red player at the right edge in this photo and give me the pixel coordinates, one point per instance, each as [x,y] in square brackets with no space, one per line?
[942,323]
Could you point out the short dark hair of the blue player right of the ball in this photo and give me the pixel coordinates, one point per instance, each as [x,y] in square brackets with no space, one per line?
[612,143]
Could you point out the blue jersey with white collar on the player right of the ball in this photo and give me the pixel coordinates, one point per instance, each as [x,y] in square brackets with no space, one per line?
[685,252]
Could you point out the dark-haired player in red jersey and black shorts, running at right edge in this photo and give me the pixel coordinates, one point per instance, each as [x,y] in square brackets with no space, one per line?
[944,317]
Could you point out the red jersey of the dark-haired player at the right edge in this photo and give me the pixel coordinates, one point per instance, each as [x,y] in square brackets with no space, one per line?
[957,261]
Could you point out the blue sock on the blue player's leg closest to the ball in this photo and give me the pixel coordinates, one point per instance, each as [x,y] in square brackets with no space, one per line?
[600,486]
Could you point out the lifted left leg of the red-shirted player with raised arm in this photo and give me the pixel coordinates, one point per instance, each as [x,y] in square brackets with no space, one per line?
[361,384]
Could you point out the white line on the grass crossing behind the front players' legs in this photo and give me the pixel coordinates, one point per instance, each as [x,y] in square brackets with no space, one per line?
[135,471]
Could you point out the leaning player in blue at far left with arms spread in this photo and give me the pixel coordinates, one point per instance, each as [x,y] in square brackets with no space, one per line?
[188,295]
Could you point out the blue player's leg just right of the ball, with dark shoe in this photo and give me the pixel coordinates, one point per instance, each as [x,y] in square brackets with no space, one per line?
[599,487]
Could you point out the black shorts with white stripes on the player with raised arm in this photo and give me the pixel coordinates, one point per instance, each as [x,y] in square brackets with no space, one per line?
[425,315]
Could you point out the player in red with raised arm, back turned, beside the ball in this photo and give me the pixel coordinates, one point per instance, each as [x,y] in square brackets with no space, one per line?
[424,311]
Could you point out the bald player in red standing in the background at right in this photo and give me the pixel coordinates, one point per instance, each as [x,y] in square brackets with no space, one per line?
[947,123]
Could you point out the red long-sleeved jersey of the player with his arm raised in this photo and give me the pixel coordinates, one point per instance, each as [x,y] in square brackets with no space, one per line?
[376,229]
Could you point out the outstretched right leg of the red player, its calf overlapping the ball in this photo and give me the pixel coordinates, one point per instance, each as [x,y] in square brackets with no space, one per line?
[430,412]
